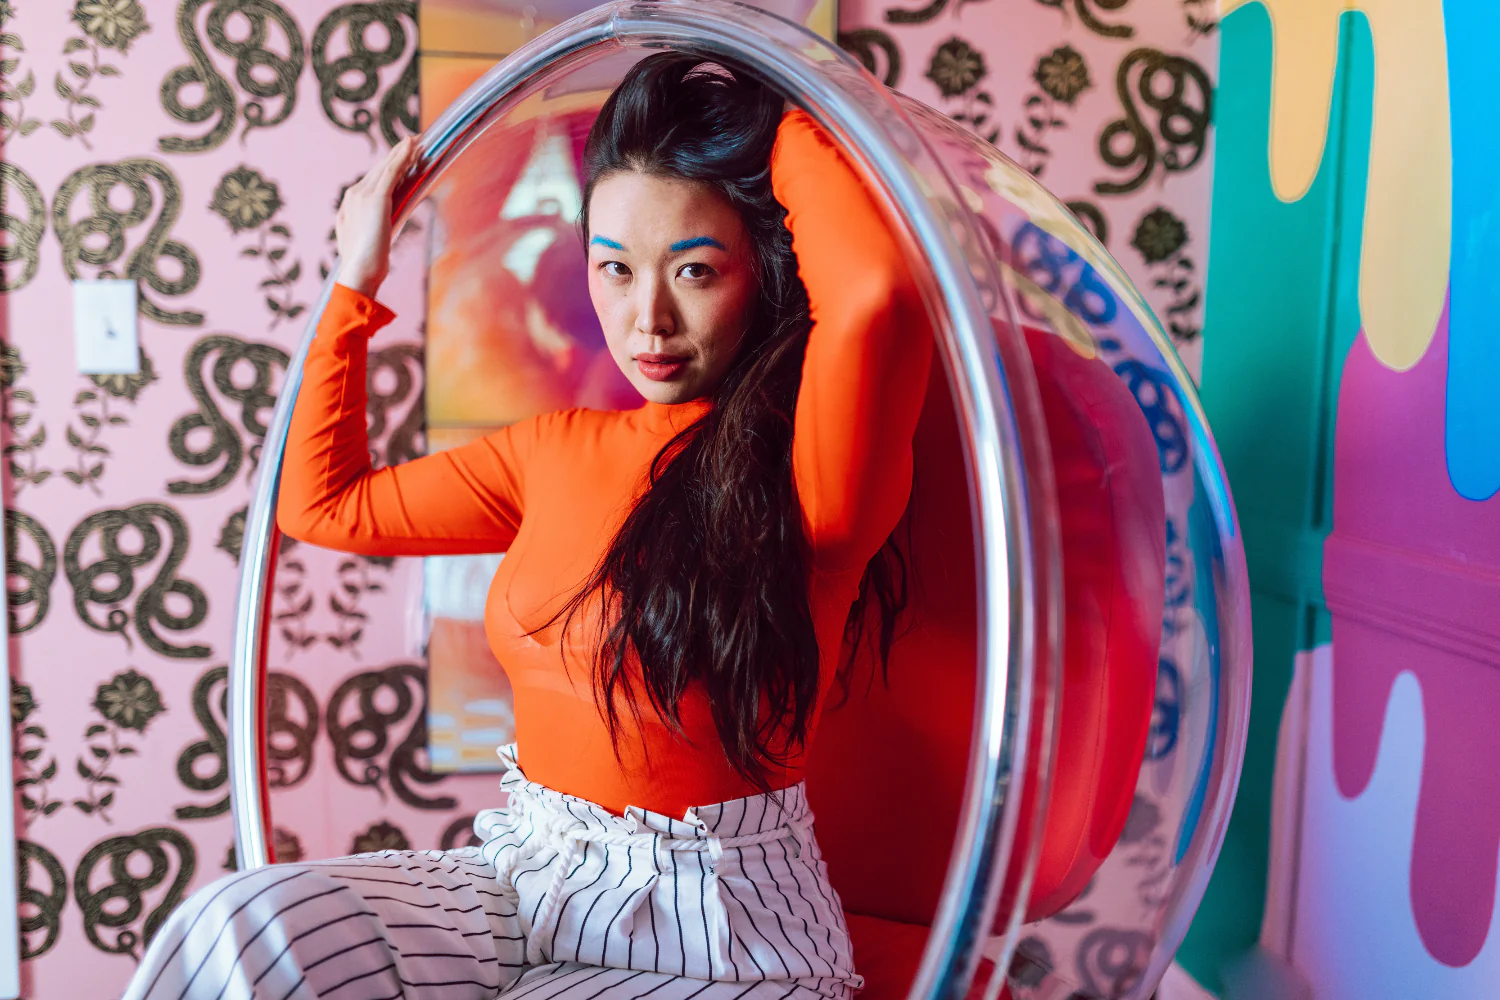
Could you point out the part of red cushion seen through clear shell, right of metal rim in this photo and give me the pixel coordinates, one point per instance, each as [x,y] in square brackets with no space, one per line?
[1114,554]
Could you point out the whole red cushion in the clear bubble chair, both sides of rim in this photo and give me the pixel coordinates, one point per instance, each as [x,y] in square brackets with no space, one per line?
[895,758]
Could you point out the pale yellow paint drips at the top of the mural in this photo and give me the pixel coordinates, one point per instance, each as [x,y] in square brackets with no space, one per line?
[1405,256]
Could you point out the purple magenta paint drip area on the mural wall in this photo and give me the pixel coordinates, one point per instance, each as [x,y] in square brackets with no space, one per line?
[1412,576]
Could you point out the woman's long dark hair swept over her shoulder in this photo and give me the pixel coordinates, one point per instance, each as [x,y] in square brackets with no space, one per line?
[707,579]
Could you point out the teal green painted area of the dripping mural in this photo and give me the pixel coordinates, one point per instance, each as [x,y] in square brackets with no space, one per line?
[1282,313]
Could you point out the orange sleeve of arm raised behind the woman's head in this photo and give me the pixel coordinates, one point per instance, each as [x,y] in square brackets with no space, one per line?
[868,356]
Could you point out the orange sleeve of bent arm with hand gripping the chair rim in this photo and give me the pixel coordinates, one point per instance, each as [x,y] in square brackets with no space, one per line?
[466,500]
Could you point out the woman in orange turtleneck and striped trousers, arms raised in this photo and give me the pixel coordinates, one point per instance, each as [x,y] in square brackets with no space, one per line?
[677,588]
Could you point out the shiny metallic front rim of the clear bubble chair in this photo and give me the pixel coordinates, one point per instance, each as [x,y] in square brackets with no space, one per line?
[1015,585]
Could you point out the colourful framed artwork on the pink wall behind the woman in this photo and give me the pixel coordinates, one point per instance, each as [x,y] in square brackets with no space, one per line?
[509,326]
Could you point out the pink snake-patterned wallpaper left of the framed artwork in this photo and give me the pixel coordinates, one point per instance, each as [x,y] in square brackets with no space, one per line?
[122,496]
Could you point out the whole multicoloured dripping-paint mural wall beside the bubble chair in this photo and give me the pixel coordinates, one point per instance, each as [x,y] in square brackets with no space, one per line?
[1351,382]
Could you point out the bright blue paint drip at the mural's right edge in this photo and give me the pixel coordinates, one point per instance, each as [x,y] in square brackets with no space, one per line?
[1474,350]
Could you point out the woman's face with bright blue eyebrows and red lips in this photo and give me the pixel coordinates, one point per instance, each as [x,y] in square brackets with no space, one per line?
[673,280]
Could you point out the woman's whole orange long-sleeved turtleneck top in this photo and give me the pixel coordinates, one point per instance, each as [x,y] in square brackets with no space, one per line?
[553,491]
